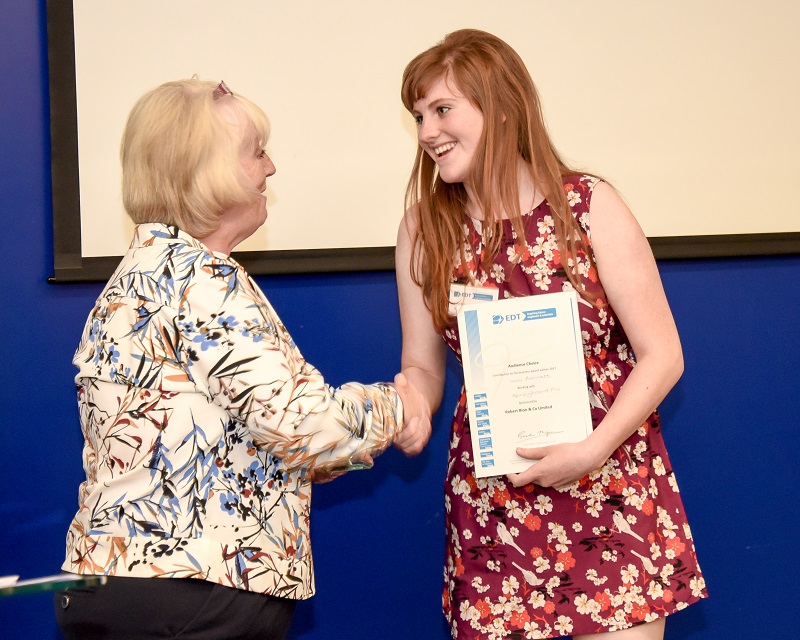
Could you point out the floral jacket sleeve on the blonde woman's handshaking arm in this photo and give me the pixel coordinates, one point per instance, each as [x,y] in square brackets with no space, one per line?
[239,353]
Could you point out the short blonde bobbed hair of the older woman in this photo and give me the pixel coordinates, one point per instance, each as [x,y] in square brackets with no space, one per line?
[181,155]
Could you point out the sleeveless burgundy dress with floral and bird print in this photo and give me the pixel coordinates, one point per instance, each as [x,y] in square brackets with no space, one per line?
[614,549]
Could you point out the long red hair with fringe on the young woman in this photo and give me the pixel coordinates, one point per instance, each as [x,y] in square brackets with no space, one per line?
[493,77]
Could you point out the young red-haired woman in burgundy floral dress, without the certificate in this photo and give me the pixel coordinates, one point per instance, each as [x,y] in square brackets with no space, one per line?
[593,537]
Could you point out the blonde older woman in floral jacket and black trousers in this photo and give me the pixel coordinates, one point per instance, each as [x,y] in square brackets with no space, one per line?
[203,423]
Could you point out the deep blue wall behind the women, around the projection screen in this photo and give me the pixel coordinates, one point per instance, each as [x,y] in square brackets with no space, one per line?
[731,423]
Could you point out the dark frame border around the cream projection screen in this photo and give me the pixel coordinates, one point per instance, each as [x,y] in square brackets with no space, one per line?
[71,266]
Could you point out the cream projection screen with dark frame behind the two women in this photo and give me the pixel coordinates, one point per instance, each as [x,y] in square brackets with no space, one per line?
[688,108]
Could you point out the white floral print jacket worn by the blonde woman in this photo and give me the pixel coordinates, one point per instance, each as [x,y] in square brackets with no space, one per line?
[201,422]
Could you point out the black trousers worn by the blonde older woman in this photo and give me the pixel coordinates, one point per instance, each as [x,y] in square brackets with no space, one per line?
[185,609]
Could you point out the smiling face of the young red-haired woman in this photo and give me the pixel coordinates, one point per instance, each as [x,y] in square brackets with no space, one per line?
[449,129]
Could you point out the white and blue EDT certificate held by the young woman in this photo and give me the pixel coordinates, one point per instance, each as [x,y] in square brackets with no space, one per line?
[525,378]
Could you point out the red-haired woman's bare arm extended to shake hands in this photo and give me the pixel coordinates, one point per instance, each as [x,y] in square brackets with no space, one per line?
[423,355]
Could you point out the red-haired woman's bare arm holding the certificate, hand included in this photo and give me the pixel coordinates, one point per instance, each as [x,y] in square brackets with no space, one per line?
[633,286]
